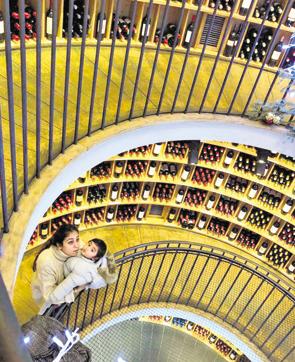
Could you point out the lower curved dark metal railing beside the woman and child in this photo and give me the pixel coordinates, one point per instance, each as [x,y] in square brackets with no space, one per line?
[240,293]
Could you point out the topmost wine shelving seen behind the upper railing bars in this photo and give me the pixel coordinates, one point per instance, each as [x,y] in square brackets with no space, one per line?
[228,17]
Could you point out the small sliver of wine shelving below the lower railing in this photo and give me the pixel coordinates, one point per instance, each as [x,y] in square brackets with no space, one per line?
[222,347]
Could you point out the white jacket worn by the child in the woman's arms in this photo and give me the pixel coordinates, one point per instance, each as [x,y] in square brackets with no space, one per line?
[78,271]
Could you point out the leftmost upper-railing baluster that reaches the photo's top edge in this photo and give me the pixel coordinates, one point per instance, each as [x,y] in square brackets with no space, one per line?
[9,73]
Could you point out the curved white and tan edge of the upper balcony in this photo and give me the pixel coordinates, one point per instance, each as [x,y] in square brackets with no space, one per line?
[115,139]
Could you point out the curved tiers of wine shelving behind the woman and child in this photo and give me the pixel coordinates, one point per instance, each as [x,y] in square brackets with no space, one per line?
[156,184]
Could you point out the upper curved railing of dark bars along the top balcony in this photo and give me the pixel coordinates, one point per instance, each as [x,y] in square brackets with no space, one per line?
[85,98]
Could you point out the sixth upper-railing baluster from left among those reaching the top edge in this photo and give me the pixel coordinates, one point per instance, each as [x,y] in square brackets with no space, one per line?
[81,69]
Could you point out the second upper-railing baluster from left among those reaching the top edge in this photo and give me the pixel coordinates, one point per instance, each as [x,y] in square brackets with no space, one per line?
[23,57]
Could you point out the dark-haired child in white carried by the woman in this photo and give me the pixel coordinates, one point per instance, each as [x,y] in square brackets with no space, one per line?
[86,270]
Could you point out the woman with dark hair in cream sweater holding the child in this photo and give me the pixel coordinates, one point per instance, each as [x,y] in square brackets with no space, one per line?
[49,266]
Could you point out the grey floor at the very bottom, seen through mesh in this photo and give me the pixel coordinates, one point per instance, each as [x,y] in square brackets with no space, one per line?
[136,341]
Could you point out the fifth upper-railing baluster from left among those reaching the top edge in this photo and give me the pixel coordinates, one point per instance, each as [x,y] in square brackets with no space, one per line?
[67,75]
